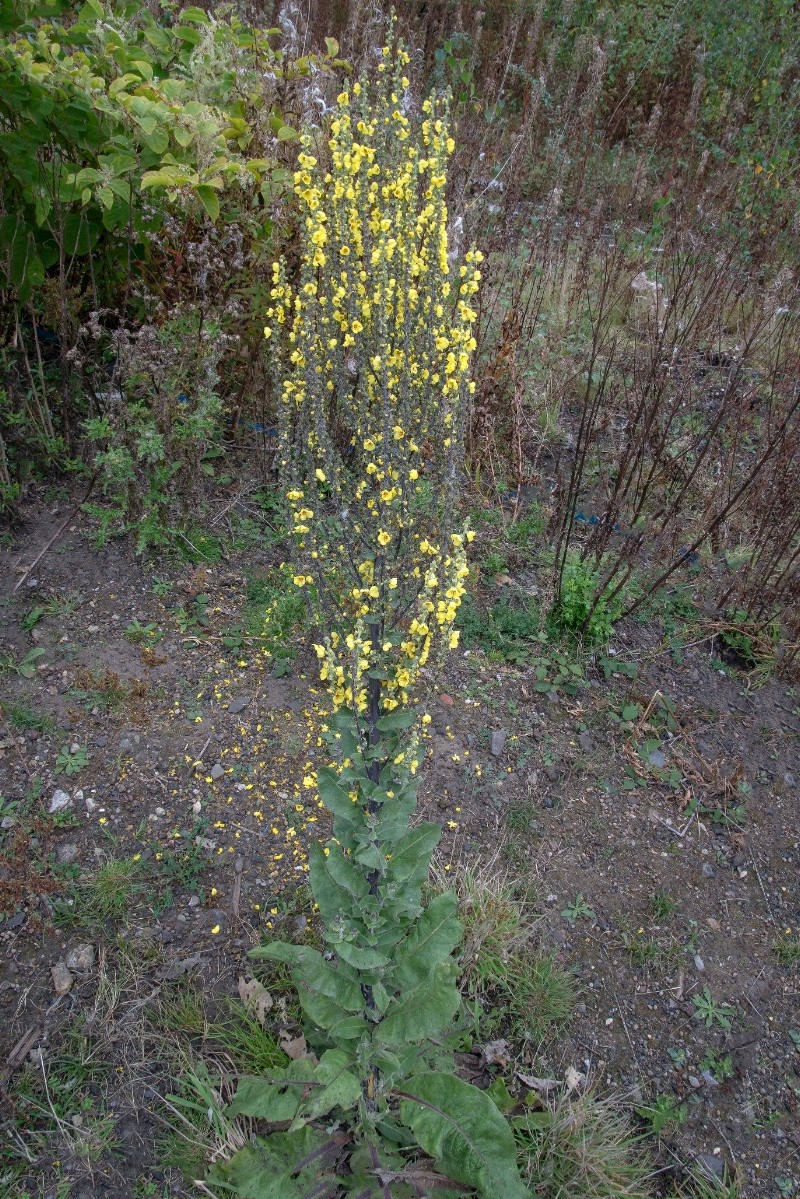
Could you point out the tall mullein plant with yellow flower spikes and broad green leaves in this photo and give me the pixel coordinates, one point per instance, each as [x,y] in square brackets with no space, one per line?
[374,335]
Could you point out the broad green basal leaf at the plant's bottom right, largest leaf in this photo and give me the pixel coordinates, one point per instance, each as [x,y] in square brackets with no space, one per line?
[462,1129]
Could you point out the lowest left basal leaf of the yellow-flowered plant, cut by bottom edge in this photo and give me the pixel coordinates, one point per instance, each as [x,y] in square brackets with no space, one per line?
[285,1166]
